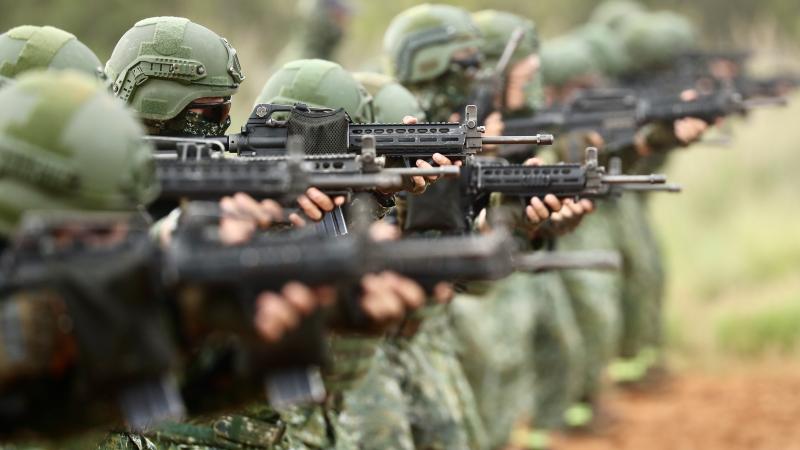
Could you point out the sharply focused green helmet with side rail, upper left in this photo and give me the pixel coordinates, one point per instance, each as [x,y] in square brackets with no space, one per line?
[162,64]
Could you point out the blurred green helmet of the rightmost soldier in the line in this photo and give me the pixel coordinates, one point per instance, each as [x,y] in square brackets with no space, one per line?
[654,40]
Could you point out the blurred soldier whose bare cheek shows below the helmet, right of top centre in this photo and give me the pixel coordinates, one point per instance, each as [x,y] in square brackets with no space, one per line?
[503,338]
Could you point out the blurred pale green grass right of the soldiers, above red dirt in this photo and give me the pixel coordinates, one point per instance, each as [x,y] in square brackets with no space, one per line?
[732,242]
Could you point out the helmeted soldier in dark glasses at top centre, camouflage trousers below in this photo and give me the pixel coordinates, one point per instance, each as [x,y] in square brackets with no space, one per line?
[416,395]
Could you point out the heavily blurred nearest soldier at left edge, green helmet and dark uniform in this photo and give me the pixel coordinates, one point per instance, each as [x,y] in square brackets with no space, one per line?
[62,172]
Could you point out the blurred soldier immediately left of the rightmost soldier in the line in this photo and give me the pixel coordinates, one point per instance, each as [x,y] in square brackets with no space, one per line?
[569,64]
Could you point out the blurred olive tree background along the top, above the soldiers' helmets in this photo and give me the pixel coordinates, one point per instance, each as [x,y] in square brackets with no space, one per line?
[259,29]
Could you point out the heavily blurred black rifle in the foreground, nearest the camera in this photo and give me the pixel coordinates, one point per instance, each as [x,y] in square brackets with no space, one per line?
[129,369]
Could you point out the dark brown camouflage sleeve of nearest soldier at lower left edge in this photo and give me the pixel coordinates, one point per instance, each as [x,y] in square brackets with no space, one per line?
[35,334]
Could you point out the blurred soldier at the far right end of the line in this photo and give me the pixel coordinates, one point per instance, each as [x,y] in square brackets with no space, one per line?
[651,42]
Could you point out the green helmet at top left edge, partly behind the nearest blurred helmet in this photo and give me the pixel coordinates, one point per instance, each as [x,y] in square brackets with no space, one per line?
[30,47]
